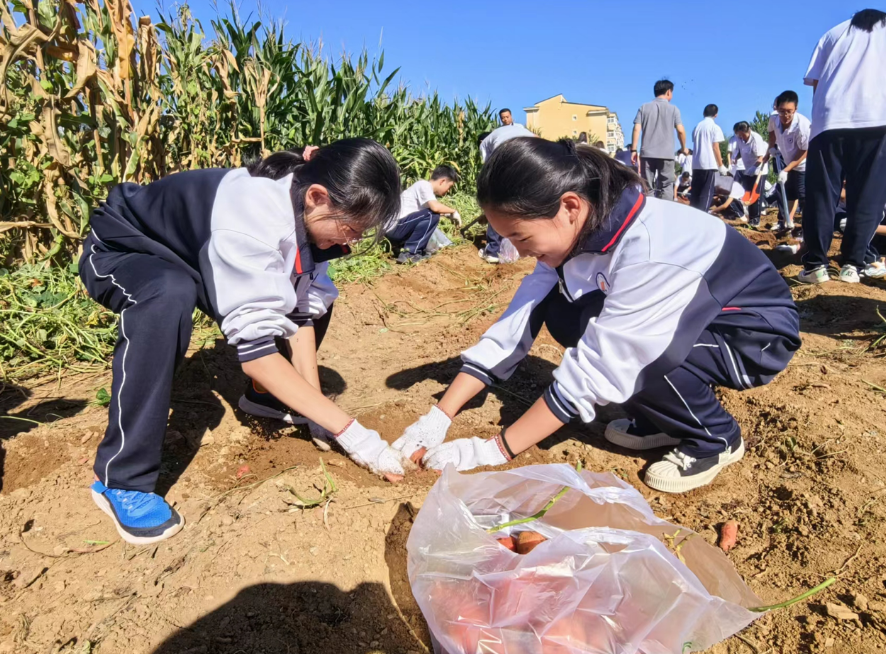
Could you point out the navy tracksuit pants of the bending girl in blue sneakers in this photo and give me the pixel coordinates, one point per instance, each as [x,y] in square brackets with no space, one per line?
[155,300]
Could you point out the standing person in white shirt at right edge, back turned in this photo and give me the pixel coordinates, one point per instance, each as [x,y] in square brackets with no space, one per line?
[848,141]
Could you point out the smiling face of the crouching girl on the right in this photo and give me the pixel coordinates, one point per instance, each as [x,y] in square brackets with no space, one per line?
[549,240]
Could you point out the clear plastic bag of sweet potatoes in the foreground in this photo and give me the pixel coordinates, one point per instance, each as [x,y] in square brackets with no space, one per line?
[607,581]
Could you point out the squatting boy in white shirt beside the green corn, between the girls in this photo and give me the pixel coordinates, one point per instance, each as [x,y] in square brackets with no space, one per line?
[420,214]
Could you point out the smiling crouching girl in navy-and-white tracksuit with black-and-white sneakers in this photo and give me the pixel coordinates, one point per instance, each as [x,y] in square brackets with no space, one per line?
[654,303]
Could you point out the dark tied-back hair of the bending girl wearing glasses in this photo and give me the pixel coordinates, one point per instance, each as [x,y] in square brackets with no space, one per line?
[360,175]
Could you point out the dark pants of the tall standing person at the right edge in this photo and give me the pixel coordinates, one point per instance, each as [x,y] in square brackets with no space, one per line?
[859,157]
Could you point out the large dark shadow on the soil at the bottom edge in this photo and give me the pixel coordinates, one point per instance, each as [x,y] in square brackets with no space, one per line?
[308,617]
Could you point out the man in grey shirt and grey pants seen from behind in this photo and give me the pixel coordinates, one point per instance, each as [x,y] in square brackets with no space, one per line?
[657,121]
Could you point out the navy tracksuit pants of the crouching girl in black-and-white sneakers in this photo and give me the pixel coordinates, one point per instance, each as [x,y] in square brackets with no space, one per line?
[682,403]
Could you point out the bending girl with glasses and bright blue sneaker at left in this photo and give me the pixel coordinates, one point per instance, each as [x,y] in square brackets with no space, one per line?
[250,248]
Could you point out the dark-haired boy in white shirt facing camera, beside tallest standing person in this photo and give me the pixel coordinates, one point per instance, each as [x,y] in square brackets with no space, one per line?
[789,132]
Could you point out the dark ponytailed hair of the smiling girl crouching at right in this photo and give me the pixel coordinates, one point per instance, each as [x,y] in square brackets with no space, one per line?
[526,177]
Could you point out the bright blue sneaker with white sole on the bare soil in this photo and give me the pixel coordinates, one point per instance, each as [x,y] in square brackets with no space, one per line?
[140,518]
